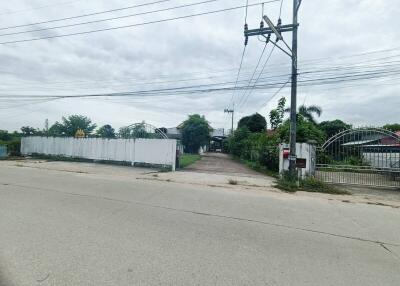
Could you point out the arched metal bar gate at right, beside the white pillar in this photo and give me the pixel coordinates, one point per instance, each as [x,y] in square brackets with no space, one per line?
[360,156]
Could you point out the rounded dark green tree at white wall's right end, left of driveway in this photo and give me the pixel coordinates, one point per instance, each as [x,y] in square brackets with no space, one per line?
[195,133]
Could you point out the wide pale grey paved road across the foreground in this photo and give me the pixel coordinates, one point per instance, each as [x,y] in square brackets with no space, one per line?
[103,226]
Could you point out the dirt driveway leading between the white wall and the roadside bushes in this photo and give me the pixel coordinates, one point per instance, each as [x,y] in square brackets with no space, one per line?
[218,163]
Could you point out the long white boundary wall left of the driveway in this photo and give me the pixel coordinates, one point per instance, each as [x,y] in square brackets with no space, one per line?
[149,151]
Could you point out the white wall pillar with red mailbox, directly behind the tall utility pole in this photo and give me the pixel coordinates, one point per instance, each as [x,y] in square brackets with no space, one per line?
[305,159]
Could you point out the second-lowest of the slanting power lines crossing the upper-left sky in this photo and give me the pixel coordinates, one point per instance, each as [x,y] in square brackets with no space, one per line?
[109,19]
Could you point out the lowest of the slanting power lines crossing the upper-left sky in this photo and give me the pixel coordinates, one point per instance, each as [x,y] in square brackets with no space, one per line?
[133,25]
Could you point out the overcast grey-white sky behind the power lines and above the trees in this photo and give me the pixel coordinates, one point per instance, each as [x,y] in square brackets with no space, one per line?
[193,51]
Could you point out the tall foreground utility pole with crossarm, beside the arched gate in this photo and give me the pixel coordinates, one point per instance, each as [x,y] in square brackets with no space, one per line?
[292,53]
